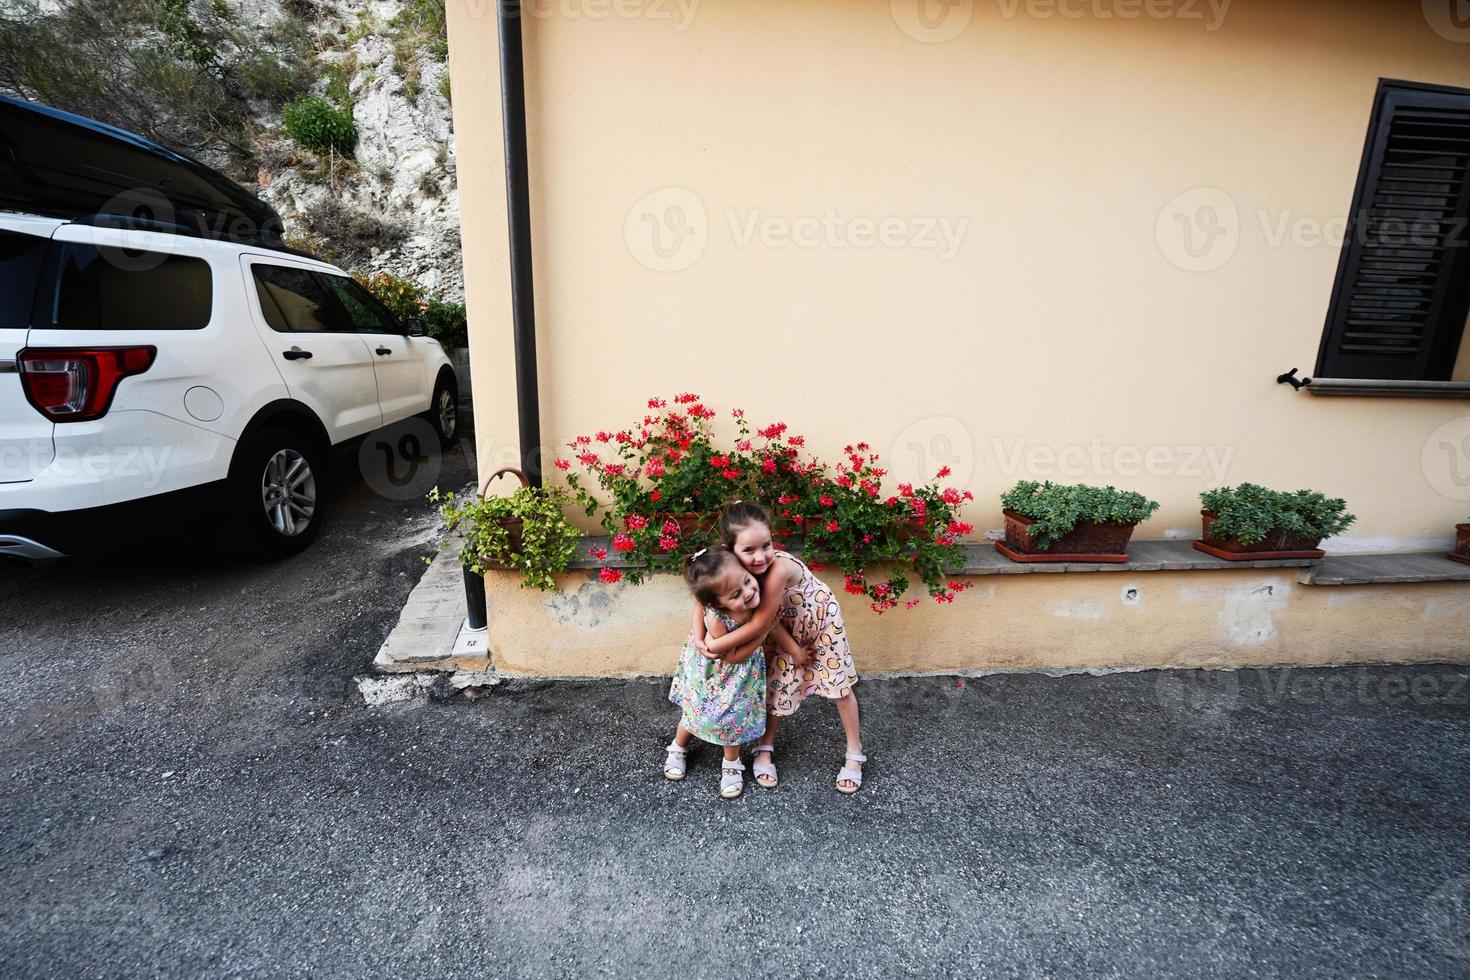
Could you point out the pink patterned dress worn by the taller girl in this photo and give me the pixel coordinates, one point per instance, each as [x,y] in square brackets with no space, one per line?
[812,615]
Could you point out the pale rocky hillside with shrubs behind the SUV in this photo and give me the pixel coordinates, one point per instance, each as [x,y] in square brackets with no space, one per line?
[214,79]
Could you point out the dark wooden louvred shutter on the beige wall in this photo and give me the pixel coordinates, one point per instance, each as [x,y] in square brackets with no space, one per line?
[1399,309]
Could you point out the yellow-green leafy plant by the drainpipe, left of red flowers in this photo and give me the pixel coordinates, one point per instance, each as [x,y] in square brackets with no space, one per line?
[548,541]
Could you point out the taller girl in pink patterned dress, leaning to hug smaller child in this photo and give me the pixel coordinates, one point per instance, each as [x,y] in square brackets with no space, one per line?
[809,610]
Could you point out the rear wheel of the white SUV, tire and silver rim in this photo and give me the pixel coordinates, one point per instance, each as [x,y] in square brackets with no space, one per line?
[276,487]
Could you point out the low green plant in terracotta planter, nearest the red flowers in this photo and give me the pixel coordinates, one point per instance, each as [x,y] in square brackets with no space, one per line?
[1055,522]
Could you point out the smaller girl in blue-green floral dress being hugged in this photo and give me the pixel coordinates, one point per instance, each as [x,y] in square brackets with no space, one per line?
[724,697]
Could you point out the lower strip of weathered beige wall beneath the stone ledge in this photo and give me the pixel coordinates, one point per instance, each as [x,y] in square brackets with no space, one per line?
[1246,618]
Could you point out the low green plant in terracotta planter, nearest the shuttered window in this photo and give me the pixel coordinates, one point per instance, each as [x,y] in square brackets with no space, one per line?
[1249,522]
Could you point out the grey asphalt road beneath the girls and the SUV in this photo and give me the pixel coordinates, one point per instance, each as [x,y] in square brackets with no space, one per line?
[193,788]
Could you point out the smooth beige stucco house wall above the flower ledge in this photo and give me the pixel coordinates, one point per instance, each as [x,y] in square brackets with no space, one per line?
[1069,321]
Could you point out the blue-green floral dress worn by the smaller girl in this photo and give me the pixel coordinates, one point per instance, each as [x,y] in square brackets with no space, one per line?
[723,703]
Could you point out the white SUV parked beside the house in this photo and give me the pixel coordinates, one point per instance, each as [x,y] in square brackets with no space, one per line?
[145,371]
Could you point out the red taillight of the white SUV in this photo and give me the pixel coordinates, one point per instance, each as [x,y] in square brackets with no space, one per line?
[77,384]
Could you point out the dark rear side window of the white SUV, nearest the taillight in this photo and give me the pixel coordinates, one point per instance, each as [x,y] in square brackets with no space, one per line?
[111,289]
